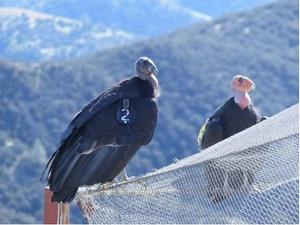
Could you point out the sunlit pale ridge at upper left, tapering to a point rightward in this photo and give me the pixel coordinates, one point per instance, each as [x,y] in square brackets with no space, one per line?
[31,35]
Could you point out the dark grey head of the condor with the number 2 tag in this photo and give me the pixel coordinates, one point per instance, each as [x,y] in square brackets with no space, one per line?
[145,67]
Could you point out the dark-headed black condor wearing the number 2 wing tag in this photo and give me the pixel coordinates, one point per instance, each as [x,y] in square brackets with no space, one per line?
[106,134]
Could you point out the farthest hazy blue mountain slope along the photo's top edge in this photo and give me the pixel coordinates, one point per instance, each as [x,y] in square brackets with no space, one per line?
[159,16]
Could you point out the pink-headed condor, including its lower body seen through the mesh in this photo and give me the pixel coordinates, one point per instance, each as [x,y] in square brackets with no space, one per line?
[235,115]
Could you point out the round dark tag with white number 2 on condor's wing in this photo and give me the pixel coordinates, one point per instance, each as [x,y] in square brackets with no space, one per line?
[125,113]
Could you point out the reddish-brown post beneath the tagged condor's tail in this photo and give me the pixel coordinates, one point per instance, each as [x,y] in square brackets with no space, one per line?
[50,208]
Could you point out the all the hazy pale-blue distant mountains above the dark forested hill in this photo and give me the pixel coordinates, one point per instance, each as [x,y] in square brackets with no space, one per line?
[93,25]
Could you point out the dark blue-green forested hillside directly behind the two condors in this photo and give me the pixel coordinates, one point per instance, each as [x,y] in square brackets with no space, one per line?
[195,66]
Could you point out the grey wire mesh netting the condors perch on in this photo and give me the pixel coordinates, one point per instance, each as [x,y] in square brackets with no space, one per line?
[251,177]
